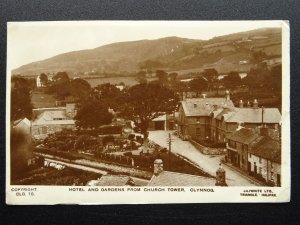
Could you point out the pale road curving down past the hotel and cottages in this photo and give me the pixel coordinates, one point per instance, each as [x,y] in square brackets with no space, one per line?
[208,163]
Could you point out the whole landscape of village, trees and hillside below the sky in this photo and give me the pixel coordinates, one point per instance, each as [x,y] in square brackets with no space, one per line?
[198,113]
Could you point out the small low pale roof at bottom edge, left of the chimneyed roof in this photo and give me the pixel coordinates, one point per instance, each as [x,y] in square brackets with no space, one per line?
[111,180]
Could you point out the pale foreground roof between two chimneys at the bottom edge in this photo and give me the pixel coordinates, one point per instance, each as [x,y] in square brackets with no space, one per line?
[167,178]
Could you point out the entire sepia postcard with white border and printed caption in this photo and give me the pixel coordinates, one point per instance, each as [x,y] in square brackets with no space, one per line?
[197,109]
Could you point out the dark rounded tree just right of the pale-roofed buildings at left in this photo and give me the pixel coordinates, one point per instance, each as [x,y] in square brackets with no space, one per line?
[92,114]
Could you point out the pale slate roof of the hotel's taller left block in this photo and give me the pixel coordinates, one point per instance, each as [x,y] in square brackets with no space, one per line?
[204,106]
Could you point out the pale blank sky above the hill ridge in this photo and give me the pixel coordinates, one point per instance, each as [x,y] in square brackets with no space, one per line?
[33,41]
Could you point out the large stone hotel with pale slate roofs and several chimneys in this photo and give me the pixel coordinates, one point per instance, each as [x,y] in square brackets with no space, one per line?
[215,118]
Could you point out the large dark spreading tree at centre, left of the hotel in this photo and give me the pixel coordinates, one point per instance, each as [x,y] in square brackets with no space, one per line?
[144,102]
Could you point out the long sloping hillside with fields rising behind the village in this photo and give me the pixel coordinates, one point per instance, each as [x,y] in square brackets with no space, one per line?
[171,53]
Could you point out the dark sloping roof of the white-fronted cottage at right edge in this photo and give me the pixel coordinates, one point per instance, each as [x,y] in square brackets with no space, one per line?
[267,148]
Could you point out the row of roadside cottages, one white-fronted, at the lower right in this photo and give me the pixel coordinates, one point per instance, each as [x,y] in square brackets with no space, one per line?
[256,151]
